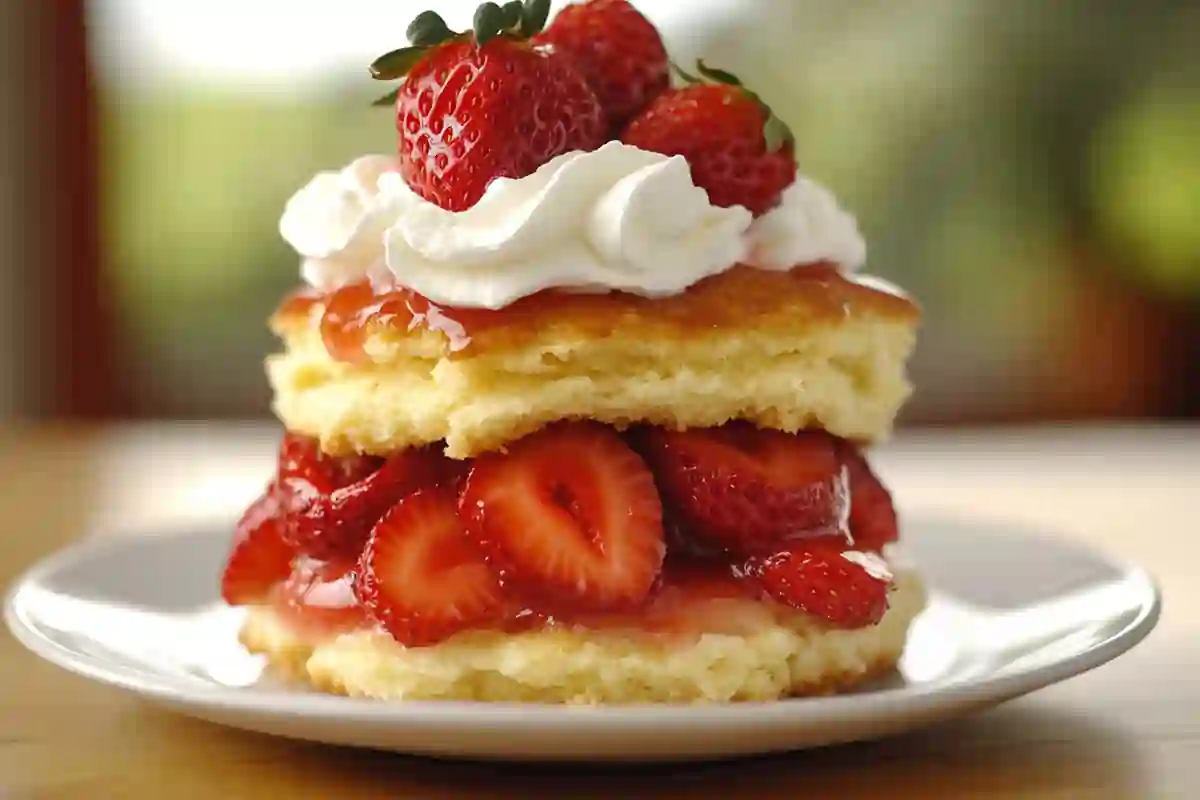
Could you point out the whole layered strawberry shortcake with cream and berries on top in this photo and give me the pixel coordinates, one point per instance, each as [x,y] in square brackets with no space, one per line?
[578,393]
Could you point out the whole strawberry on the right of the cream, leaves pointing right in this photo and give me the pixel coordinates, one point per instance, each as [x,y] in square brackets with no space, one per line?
[739,151]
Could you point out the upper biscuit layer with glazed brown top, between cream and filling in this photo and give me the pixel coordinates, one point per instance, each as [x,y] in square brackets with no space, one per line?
[784,351]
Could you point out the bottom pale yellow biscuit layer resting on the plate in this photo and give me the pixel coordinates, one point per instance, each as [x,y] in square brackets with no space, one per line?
[801,658]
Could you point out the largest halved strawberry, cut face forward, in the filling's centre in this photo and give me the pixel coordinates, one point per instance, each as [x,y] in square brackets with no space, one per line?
[569,515]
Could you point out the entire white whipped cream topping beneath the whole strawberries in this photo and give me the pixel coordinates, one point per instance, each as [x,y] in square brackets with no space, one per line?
[615,219]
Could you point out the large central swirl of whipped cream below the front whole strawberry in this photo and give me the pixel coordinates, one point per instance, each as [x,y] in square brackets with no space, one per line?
[614,219]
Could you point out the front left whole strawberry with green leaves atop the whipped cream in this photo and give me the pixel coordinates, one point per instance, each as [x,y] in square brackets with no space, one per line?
[487,104]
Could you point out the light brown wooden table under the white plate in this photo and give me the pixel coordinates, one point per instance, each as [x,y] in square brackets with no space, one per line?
[1129,730]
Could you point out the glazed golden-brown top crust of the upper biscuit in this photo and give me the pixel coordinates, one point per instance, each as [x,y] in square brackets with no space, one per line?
[784,304]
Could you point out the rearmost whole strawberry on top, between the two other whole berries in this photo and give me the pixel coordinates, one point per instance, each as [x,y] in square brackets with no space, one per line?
[619,52]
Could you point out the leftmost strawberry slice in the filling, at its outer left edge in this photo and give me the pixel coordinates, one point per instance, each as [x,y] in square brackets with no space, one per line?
[260,560]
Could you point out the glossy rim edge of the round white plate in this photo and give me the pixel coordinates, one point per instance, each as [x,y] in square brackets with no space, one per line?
[284,703]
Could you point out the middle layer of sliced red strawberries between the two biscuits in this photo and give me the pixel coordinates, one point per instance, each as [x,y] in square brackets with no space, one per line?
[577,526]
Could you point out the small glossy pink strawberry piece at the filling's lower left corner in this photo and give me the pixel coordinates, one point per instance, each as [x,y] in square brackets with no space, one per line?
[319,598]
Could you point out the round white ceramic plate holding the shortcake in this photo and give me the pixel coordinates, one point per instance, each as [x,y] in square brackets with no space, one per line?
[1011,612]
